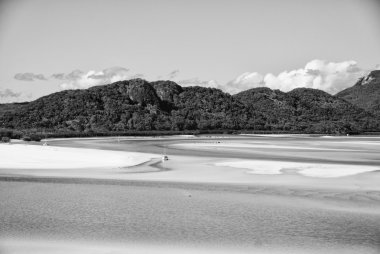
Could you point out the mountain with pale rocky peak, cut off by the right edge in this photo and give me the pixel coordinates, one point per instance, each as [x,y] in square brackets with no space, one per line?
[365,93]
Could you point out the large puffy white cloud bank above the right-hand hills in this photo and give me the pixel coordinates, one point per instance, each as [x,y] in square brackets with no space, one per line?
[327,76]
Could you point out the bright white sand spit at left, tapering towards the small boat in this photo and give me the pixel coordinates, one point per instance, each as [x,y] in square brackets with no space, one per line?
[51,157]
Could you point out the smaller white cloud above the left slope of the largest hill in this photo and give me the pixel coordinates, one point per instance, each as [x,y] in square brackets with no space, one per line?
[79,80]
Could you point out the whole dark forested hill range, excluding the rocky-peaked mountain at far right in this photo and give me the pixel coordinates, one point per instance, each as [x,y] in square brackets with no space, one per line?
[137,105]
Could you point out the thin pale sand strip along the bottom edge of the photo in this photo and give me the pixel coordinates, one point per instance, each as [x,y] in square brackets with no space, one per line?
[39,246]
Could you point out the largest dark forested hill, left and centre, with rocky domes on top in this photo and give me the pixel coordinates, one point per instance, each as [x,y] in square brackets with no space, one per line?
[131,105]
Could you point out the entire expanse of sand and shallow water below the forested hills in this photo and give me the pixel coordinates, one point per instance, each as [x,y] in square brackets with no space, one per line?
[218,194]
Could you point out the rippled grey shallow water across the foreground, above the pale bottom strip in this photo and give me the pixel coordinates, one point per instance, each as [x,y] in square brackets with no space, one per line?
[159,215]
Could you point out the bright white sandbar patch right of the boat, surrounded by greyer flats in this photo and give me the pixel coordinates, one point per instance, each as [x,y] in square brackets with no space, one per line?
[306,169]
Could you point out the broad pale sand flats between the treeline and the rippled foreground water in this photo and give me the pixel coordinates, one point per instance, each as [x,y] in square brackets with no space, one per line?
[236,160]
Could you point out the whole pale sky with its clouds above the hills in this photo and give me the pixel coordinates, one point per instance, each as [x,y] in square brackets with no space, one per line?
[51,45]
